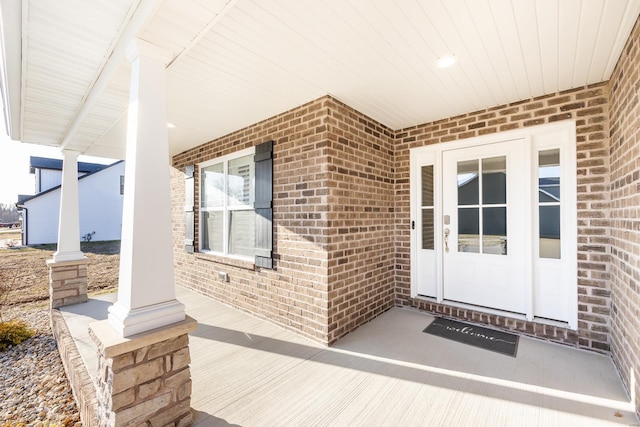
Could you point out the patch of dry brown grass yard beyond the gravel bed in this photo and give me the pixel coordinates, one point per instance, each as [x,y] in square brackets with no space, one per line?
[28,264]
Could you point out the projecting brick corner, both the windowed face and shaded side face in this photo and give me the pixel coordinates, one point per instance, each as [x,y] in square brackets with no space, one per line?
[333,214]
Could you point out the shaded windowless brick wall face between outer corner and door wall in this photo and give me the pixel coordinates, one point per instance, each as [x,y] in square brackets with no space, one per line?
[361,215]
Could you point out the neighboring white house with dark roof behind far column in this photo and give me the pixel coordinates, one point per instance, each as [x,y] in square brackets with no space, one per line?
[100,193]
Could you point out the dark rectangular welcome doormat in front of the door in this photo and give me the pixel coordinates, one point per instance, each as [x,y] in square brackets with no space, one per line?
[489,339]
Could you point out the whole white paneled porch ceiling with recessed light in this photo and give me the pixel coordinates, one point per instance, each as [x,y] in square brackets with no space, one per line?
[235,62]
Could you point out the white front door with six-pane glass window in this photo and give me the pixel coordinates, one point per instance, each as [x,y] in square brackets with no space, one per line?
[485,225]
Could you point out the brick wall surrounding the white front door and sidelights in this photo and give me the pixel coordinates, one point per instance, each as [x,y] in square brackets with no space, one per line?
[589,107]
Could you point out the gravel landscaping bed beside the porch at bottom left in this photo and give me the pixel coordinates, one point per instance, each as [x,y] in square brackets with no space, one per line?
[34,390]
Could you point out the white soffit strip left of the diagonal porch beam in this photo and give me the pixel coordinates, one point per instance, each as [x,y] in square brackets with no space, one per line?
[65,46]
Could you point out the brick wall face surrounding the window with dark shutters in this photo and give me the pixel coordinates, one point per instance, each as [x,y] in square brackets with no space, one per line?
[294,294]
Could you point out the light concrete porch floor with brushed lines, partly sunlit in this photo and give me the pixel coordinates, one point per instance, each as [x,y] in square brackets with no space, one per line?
[249,372]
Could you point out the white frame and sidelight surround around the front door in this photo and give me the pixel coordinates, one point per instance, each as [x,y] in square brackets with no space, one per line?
[561,135]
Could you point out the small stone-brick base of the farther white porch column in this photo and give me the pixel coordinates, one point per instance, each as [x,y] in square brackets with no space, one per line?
[67,282]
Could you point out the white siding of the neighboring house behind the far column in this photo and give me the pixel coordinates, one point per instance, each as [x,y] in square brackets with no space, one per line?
[100,205]
